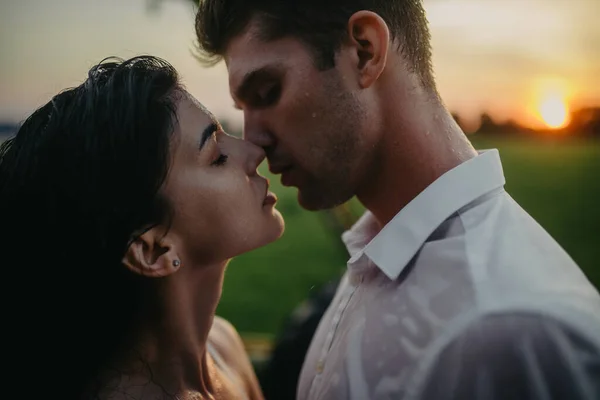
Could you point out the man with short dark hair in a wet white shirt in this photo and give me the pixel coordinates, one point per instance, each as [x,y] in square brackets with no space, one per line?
[452,291]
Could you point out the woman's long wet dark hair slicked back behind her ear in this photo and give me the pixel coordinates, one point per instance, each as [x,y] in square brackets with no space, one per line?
[80,177]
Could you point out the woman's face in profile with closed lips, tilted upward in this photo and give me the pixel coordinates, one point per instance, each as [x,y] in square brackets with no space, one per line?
[222,207]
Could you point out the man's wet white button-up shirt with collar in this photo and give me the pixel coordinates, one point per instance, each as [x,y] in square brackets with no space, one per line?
[462,295]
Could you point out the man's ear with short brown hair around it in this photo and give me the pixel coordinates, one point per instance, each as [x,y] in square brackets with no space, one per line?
[370,37]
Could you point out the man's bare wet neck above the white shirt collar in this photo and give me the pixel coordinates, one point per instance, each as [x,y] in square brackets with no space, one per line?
[413,154]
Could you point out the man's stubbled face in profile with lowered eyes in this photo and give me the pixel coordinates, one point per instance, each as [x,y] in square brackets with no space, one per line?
[310,122]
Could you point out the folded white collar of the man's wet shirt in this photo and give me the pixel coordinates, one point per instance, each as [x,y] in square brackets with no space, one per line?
[396,244]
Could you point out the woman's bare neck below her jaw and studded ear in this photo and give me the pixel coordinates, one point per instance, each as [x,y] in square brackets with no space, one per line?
[170,355]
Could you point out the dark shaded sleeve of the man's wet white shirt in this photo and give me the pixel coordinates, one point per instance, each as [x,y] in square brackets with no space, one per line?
[515,356]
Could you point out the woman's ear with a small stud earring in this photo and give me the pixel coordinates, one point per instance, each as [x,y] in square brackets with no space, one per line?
[152,254]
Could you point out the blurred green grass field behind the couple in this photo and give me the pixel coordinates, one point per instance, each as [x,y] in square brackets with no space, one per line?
[556,181]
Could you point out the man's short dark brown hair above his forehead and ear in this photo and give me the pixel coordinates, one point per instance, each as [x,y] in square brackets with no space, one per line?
[322,25]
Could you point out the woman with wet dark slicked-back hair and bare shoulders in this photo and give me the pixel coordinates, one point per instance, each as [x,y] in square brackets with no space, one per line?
[124,202]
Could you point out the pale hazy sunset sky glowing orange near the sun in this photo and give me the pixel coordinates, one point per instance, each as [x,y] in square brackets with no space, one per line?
[513,58]
